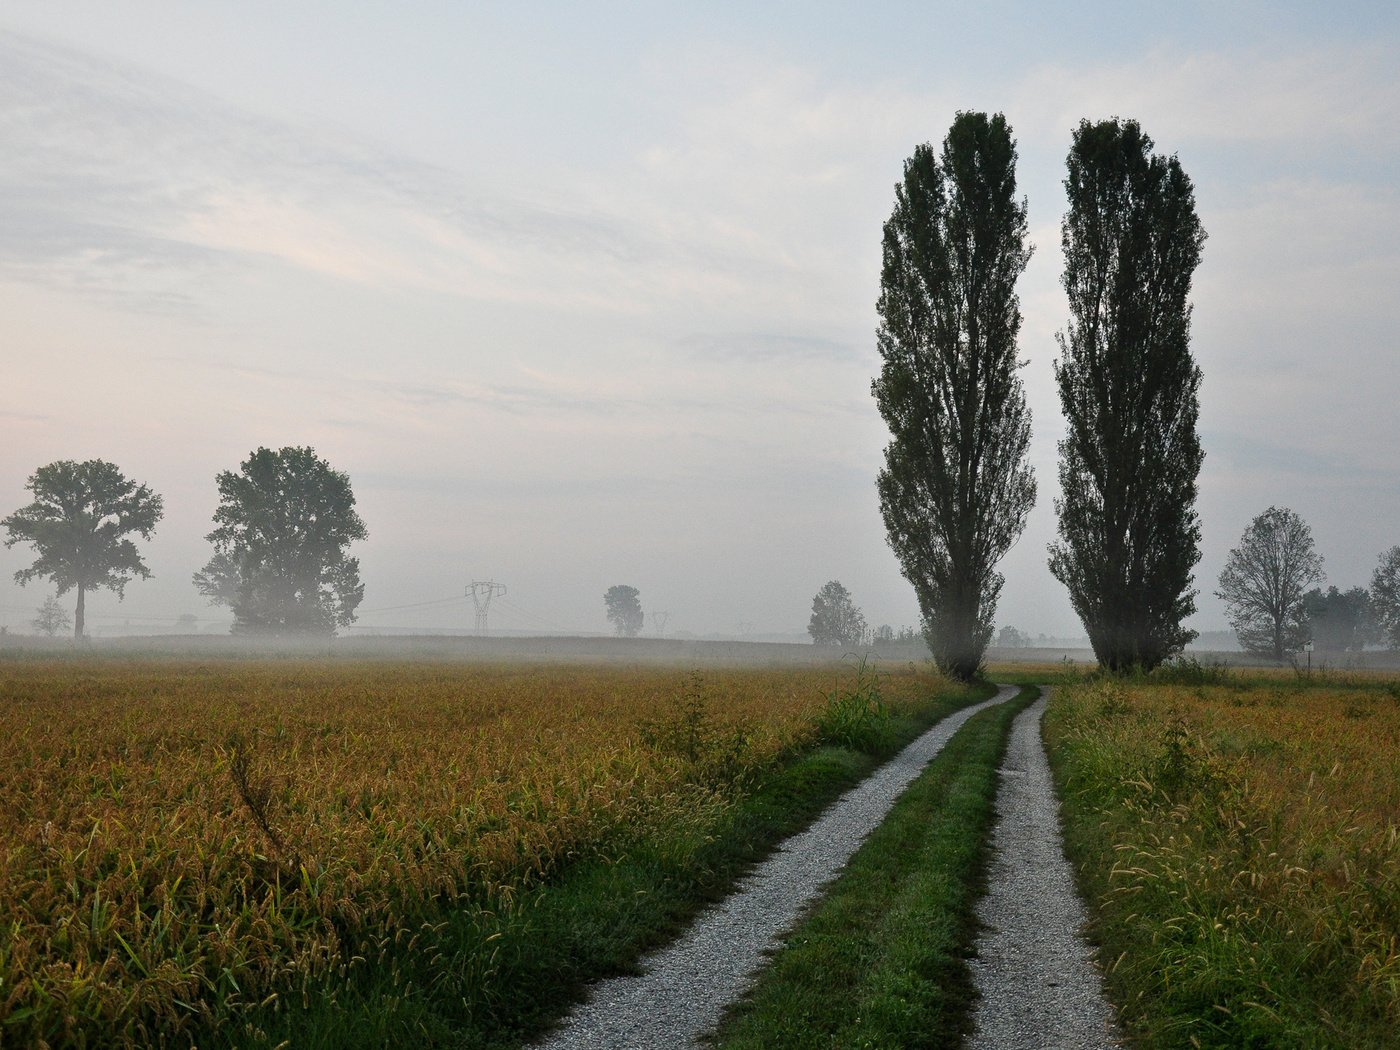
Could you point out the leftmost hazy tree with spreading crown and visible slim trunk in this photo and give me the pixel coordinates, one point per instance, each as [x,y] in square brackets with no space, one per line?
[79,524]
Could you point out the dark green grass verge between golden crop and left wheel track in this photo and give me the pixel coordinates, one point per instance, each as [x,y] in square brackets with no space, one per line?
[500,978]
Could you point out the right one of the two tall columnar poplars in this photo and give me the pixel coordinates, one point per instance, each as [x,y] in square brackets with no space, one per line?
[1129,391]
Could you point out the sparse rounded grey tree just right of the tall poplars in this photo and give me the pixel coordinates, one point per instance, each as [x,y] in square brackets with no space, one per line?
[1265,580]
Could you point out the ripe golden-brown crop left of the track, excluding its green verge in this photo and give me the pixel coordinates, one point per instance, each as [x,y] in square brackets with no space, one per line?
[184,841]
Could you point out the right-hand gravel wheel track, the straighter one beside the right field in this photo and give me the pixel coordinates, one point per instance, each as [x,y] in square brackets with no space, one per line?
[1034,971]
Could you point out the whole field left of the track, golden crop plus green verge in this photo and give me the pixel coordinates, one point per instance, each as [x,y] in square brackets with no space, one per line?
[190,841]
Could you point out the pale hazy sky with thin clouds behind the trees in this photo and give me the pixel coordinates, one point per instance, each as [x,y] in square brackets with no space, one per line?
[584,295]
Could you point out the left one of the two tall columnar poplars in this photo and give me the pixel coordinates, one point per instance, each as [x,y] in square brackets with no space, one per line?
[957,489]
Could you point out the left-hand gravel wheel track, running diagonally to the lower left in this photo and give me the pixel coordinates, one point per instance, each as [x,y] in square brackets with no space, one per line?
[684,989]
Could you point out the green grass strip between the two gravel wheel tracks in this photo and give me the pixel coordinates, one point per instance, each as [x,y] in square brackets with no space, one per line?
[881,961]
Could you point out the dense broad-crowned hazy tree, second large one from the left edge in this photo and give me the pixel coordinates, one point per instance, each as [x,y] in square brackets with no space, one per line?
[285,521]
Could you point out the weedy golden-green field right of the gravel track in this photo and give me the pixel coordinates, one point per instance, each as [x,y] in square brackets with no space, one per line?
[1237,835]
